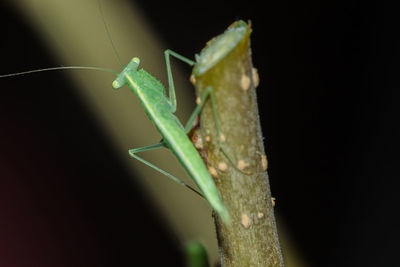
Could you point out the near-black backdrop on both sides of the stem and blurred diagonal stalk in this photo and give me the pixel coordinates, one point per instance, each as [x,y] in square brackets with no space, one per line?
[328,101]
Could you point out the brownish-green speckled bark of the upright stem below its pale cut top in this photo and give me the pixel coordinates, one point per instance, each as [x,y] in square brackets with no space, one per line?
[252,238]
